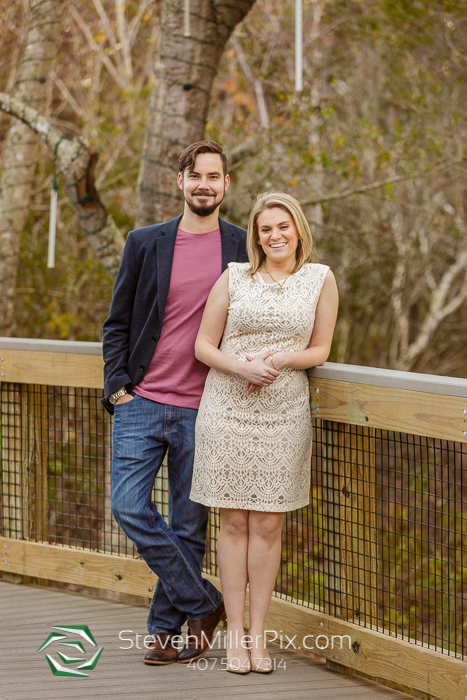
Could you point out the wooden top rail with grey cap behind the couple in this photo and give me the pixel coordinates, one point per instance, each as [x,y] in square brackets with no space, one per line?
[417,404]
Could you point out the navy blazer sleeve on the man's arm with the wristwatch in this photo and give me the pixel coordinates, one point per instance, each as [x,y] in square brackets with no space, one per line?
[116,330]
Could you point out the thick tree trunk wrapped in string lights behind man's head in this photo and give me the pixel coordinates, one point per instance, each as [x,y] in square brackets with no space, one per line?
[185,67]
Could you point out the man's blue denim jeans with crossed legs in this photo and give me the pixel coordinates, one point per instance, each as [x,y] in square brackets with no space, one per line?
[142,432]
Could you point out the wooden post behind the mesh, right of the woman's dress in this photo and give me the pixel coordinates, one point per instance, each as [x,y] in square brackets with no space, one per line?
[350,519]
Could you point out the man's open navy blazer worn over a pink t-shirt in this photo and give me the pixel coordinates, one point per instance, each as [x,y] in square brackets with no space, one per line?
[139,297]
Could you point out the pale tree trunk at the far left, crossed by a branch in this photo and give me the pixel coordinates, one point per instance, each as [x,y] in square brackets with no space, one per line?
[21,147]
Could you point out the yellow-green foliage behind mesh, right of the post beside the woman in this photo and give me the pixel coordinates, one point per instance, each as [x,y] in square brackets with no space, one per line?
[423,554]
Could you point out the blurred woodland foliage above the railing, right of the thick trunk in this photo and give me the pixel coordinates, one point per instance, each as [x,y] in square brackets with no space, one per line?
[383,95]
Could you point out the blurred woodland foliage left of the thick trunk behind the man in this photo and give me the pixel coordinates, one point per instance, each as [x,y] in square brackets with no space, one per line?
[72,300]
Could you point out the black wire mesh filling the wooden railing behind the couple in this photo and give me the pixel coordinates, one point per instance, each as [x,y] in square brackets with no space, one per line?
[383,542]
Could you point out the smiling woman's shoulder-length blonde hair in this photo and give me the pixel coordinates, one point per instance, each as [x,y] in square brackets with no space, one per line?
[269,200]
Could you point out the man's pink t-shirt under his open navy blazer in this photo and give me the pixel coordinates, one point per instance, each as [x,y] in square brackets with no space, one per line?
[174,375]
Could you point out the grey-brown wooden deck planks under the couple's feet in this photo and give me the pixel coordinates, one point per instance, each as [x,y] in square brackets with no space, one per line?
[28,614]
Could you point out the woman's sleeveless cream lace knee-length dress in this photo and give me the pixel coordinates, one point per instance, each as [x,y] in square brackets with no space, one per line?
[254,452]
